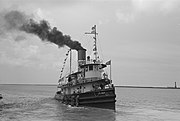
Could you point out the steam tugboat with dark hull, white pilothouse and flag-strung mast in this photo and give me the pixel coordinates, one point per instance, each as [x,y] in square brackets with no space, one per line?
[89,86]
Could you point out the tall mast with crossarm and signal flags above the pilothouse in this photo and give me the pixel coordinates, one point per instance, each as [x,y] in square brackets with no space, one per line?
[93,32]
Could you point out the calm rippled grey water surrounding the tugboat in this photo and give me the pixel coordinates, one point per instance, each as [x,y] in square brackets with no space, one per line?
[36,103]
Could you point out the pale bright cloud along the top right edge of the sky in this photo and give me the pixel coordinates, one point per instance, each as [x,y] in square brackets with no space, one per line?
[136,8]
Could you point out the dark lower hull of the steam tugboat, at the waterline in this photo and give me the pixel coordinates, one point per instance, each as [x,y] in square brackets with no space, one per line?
[104,98]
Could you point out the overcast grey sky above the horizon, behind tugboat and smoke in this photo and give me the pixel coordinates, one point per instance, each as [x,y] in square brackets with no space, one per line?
[140,37]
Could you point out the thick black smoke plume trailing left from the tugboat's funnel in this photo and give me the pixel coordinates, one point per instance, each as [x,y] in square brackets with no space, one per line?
[19,21]
